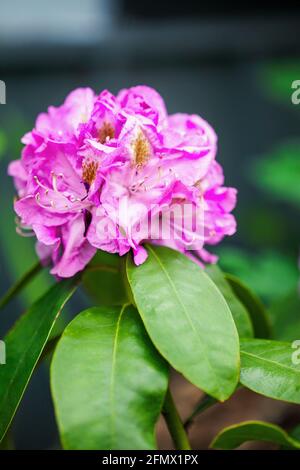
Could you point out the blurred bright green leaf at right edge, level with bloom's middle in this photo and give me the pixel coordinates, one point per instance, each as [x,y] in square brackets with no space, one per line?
[279,173]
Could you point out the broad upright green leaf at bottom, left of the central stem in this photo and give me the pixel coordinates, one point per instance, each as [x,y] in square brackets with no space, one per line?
[108,381]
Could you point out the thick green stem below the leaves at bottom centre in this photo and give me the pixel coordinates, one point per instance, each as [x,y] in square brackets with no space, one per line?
[174,423]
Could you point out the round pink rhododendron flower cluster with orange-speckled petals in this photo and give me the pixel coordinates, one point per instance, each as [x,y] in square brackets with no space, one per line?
[95,155]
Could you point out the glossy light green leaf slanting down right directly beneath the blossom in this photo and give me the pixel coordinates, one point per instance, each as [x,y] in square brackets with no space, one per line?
[187,319]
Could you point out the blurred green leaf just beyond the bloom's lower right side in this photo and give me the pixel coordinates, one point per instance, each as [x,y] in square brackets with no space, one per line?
[269,274]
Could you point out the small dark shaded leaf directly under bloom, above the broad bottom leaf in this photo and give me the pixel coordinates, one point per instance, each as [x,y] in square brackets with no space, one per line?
[103,280]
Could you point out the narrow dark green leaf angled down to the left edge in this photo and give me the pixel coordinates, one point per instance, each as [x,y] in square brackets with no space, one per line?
[24,345]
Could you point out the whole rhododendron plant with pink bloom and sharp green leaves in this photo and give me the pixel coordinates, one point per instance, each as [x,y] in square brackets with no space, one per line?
[126,202]
